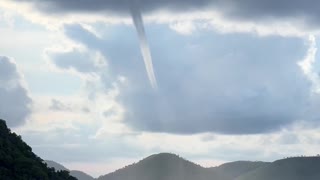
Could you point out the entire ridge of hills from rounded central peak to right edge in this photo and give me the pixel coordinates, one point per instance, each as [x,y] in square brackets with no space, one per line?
[167,166]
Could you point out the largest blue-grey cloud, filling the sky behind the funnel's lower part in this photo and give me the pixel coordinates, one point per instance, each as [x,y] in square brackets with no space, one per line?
[232,84]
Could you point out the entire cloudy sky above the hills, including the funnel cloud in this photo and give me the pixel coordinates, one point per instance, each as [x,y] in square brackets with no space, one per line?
[99,84]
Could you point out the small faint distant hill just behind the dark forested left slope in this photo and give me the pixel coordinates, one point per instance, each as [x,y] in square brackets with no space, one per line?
[78,174]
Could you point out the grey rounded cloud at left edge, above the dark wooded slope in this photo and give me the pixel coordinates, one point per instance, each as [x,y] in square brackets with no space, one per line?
[14,99]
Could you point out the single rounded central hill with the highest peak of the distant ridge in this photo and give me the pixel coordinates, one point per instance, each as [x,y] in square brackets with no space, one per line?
[162,166]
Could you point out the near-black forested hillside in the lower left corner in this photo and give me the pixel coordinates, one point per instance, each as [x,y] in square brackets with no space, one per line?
[18,162]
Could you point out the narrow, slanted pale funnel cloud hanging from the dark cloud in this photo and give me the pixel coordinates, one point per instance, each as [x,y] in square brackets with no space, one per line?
[144,46]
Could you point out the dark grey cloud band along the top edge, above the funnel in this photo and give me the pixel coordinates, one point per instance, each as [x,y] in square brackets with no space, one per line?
[308,10]
